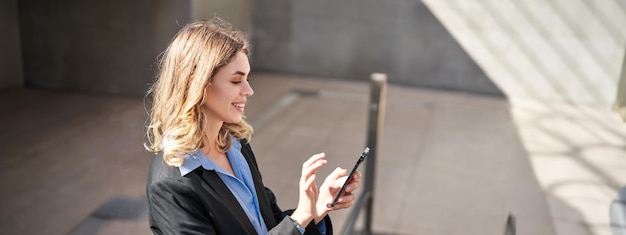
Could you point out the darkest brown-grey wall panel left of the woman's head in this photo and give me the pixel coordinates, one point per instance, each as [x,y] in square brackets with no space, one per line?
[102,46]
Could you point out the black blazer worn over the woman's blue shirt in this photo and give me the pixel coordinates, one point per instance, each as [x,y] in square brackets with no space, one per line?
[200,203]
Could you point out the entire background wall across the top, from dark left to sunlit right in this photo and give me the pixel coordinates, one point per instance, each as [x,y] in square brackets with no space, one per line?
[544,50]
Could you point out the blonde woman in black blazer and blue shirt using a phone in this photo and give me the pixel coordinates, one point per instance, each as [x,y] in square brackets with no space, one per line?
[205,179]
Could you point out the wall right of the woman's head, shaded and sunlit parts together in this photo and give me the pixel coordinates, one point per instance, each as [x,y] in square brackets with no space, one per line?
[555,50]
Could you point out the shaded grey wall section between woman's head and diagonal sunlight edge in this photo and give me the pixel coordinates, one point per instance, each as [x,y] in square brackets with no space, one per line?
[353,38]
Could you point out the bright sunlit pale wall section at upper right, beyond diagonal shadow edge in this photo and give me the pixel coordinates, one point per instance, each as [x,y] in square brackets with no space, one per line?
[555,50]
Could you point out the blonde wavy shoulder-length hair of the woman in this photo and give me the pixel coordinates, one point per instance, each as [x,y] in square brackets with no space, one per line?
[176,121]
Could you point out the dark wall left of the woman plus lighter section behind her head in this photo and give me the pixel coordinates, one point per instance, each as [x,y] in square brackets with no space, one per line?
[106,47]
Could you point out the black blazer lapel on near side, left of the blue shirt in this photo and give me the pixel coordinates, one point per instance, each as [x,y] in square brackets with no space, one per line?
[215,184]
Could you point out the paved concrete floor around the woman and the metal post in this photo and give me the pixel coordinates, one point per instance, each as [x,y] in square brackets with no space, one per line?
[449,163]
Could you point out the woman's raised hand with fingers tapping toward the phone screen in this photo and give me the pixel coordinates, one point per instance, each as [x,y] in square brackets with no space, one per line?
[308,190]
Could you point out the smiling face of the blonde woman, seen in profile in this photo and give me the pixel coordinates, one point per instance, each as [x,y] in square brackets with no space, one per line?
[225,97]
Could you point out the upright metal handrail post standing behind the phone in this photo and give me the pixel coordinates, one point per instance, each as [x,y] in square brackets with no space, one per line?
[374,128]
